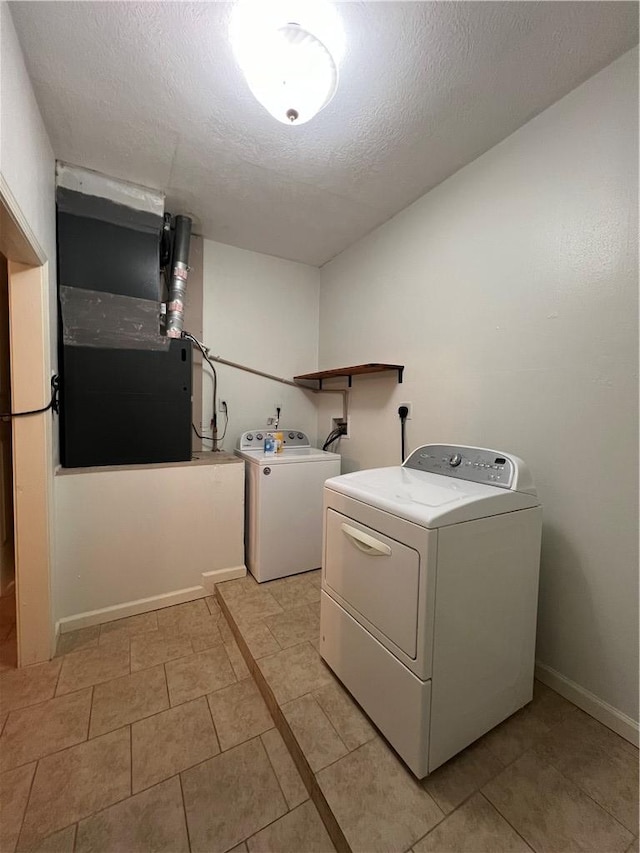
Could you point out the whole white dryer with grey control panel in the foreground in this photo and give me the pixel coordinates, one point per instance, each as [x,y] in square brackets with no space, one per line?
[429,595]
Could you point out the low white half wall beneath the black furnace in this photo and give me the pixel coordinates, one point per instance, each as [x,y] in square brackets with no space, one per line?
[135,539]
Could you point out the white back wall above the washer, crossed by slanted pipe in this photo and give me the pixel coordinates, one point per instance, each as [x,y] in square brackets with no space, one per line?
[262,312]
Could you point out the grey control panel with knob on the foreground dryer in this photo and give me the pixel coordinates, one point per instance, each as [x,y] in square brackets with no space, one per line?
[465,463]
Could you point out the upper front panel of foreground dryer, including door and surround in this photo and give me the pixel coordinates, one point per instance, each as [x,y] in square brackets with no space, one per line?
[381,570]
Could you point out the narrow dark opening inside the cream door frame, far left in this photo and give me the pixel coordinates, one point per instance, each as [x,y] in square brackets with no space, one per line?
[8,636]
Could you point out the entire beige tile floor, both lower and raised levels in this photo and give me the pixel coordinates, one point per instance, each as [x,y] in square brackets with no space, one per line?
[150,734]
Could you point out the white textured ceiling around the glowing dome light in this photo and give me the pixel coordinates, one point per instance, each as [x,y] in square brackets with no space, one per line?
[150,92]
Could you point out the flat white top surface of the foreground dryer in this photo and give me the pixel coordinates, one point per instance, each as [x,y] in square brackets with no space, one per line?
[430,500]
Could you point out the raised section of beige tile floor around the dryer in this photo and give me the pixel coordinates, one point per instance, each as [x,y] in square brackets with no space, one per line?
[549,779]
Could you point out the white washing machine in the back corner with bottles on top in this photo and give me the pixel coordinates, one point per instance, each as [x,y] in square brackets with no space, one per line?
[283,503]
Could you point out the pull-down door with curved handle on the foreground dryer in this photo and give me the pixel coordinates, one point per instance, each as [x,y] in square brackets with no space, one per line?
[375,576]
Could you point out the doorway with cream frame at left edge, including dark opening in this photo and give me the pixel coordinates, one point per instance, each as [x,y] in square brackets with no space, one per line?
[26,274]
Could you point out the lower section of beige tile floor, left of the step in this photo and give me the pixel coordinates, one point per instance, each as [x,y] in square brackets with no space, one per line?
[147,734]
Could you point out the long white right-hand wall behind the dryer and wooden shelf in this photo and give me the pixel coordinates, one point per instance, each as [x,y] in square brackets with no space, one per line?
[510,294]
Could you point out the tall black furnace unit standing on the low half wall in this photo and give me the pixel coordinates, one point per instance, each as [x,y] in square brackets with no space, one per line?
[125,386]
